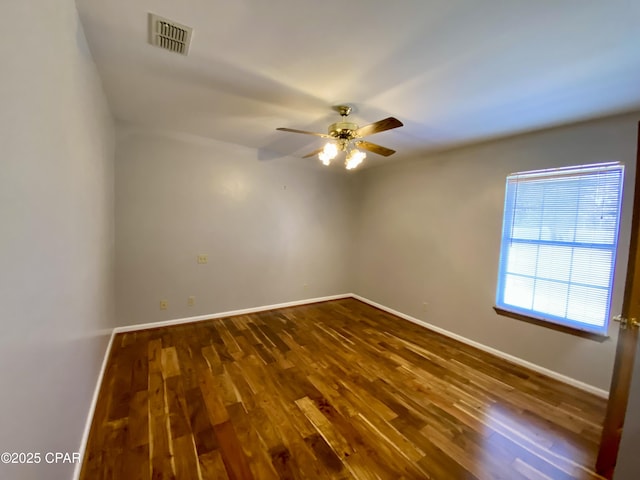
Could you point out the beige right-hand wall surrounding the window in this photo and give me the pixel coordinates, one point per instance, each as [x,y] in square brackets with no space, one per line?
[429,231]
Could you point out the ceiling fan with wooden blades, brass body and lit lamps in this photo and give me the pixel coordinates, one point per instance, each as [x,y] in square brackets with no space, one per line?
[346,137]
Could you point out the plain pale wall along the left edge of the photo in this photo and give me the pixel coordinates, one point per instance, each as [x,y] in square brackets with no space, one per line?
[57,240]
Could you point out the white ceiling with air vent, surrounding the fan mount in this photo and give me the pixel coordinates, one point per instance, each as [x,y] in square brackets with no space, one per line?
[453,71]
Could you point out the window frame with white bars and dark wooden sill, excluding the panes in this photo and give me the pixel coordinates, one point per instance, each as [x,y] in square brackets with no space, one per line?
[541,318]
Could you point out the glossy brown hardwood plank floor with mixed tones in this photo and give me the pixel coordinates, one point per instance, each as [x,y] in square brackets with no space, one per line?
[330,390]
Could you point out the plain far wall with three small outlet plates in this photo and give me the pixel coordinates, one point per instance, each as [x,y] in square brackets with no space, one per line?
[268,227]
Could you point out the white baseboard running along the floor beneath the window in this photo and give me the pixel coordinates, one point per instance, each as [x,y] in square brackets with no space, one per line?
[498,353]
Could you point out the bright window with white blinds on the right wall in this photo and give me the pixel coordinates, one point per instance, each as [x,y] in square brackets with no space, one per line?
[559,240]
